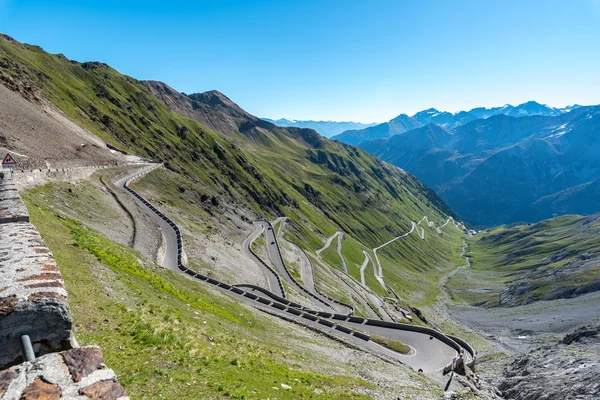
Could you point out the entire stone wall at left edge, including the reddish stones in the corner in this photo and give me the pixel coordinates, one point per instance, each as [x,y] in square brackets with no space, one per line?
[33,302]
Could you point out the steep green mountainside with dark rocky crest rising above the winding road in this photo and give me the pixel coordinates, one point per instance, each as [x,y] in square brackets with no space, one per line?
[219,149]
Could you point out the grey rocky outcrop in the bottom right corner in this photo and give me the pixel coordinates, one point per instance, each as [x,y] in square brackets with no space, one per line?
[567,370]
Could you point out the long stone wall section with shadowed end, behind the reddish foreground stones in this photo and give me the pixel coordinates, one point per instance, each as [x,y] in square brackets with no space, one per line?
[33,300]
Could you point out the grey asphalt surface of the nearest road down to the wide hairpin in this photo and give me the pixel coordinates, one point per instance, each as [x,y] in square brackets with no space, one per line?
[428,353]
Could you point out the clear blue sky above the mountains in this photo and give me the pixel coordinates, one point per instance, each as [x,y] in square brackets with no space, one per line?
[334,60]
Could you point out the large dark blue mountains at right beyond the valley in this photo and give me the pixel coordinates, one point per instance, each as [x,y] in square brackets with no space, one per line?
[505,169]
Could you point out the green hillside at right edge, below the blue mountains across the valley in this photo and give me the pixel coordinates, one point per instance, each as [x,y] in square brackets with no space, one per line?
[555,258]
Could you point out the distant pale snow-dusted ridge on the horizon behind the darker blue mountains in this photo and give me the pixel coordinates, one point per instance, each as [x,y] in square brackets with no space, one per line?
[448,121]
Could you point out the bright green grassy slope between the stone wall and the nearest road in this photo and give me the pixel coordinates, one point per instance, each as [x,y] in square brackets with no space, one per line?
[167,336]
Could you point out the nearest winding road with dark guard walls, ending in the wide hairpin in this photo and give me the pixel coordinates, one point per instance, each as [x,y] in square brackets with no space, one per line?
[431,350]
